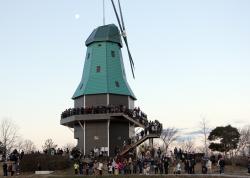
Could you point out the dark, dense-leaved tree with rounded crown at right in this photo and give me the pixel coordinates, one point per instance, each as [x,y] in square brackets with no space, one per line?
[224,139]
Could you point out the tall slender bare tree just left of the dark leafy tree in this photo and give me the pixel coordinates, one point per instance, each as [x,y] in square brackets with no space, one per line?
[205,132]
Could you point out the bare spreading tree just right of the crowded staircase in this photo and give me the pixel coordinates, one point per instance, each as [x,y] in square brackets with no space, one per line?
[169,135]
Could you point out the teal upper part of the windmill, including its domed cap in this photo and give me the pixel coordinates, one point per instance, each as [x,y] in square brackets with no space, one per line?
[111,68]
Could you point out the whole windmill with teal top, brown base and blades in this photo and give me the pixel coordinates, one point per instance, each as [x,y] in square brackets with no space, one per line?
[103,85]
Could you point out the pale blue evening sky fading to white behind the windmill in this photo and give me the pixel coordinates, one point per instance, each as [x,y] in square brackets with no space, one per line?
[192,61]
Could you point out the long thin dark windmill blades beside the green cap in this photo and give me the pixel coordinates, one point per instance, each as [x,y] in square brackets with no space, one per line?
[122,29]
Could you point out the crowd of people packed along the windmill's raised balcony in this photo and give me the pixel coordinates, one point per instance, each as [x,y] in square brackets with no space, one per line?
[135,113]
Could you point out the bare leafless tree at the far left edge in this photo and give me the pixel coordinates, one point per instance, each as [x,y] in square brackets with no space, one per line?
[8,135]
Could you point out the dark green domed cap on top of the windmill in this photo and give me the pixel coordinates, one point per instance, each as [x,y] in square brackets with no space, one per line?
[105,33]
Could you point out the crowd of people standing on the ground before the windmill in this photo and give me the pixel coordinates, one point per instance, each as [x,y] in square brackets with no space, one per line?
[152,161]
